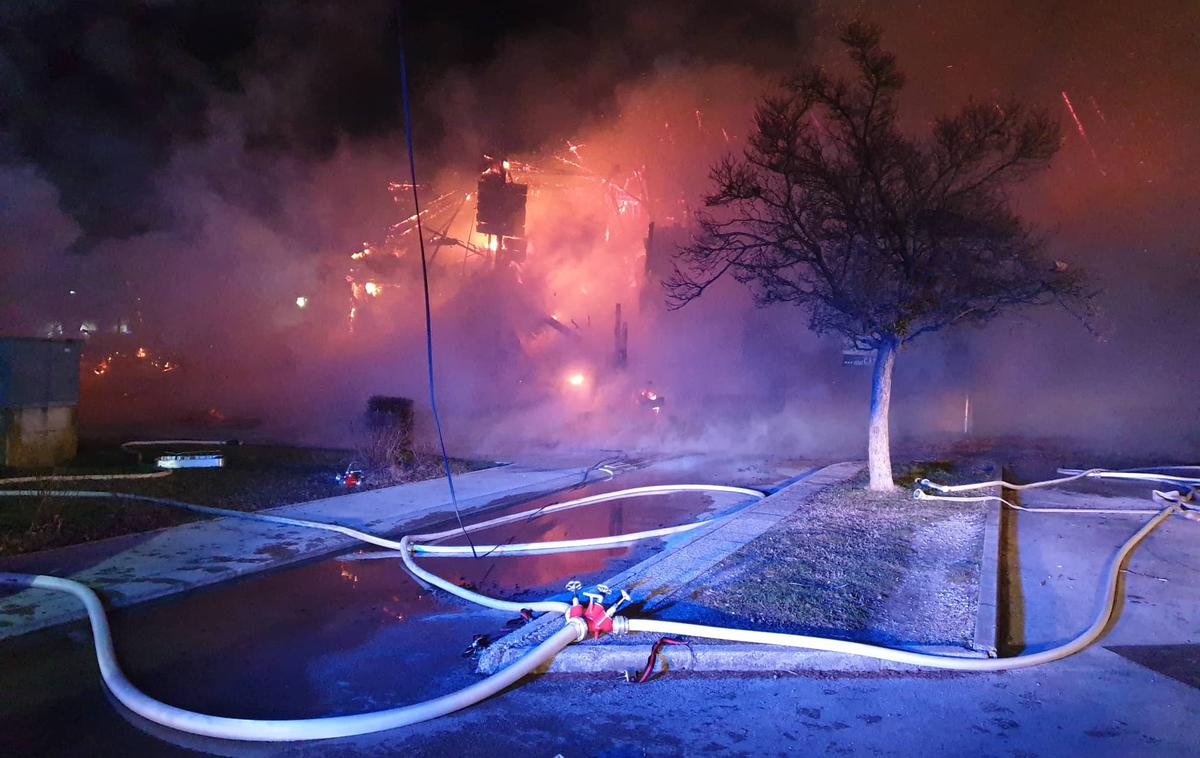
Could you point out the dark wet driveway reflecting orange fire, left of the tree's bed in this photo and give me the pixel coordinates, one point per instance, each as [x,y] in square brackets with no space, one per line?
[322,639]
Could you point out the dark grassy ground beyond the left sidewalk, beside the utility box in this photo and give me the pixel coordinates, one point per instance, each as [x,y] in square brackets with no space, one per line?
[255,477]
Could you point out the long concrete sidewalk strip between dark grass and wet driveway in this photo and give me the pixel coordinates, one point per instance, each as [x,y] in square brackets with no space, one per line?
[145,567]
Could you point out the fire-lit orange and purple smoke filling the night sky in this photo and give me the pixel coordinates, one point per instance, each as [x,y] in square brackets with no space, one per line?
[197,171]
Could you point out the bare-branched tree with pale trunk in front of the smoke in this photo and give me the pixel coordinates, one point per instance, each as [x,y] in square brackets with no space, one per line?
[884,238]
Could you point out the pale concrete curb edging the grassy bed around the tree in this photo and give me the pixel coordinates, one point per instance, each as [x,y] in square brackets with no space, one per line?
[658,579]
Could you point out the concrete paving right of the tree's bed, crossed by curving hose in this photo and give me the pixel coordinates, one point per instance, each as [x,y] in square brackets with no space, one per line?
[1061,557]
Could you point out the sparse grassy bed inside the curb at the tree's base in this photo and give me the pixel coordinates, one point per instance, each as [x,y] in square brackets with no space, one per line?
[867,567]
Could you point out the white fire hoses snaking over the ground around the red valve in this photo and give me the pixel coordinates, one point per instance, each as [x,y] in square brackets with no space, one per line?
[575,630]
